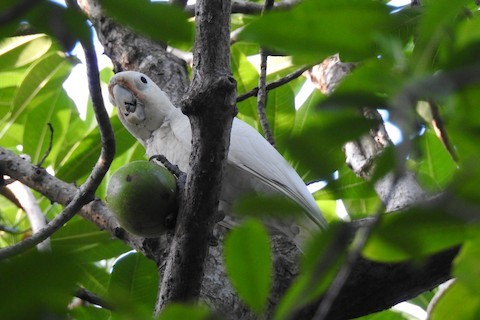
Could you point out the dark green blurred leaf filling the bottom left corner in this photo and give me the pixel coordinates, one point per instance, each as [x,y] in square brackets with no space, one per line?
[37,285]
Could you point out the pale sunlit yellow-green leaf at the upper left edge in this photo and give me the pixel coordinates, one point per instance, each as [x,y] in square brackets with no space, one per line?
[16,52]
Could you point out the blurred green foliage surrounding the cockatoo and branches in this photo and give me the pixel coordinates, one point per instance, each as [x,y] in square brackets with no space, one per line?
[401,52]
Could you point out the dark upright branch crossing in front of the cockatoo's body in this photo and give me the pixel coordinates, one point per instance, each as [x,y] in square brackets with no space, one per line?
[210,106]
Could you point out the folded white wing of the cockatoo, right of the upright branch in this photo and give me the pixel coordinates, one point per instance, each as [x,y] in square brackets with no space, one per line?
[250,152]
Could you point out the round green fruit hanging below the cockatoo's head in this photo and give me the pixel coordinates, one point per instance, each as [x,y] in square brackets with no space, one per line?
[143,197]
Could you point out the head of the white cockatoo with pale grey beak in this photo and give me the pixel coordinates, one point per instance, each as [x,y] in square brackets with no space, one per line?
[142,105]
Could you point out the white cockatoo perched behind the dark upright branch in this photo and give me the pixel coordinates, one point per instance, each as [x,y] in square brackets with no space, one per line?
[253,165]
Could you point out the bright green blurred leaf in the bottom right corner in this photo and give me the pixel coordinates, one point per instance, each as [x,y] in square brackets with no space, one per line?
[457,302]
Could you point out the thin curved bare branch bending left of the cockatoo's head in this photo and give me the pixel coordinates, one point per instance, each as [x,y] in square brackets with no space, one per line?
[86,192]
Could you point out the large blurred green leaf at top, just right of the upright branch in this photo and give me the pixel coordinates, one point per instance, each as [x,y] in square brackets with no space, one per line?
[322,28]
